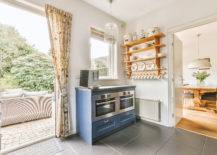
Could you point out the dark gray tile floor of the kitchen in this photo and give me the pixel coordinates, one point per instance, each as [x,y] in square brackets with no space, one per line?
[137,139]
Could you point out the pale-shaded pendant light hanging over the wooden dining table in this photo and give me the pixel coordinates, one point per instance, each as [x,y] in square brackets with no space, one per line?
[199,63]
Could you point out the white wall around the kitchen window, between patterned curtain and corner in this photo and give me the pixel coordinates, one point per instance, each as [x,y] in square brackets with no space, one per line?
[84,16]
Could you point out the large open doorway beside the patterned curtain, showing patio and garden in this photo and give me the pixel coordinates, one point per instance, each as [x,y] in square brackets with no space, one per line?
[26,78]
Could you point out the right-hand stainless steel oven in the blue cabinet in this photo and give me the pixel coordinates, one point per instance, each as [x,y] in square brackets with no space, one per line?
[126,101]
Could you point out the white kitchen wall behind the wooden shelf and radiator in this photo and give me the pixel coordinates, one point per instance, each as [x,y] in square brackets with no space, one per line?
[172,15]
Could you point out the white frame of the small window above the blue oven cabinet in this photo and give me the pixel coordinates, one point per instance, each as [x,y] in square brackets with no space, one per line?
[112,61]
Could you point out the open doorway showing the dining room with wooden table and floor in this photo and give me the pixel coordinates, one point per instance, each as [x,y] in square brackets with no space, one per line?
[195,74]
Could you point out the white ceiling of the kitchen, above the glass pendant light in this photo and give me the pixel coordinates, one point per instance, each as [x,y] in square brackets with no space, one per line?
[127,10]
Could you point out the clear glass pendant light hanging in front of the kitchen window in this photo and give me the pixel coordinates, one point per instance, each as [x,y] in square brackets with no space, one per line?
[111,29]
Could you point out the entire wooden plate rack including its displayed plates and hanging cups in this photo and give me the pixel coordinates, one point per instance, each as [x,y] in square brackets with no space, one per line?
[142,58]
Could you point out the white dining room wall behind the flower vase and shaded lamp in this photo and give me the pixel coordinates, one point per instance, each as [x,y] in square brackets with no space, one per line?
[208,48]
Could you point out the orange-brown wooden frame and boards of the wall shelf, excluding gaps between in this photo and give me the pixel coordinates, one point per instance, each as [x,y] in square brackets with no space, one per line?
[145,74]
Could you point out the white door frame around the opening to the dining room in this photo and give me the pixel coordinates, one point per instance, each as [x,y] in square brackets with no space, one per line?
[170,39]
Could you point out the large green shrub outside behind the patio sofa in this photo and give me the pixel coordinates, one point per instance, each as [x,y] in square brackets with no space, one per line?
[30,69]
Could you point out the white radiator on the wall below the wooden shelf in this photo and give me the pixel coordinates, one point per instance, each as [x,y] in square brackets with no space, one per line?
[148,109]
